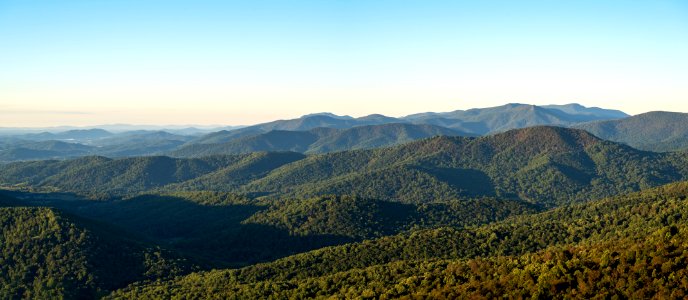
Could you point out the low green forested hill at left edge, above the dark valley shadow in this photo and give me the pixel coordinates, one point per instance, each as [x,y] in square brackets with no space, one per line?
[103,176]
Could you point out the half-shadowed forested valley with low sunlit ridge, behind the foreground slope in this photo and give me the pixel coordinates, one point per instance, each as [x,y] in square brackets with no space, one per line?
[219,229]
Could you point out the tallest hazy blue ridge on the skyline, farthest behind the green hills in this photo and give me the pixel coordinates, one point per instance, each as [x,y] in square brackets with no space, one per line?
[478,121]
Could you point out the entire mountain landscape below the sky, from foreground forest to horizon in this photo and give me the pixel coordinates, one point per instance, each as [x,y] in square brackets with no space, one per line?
[484,203]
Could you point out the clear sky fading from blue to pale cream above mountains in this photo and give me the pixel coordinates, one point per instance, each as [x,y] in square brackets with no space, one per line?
[244,62]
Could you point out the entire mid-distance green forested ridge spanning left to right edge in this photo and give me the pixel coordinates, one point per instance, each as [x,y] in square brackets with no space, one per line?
[540,165]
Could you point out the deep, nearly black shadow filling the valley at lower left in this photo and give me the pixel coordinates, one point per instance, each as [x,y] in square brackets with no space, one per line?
[213,235]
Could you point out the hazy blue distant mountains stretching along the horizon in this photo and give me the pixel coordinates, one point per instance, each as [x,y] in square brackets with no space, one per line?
[314,133]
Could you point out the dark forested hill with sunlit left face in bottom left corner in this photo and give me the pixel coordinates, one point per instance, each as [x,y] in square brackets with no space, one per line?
[47,254]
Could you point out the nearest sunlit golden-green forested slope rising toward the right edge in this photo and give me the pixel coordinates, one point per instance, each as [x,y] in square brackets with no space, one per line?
[624,246]
